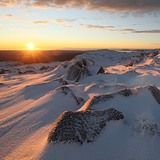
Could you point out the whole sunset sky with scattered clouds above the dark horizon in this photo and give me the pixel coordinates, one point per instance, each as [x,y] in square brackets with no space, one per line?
[91,25]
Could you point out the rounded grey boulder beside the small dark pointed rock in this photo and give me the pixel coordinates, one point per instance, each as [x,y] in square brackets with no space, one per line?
[78,70]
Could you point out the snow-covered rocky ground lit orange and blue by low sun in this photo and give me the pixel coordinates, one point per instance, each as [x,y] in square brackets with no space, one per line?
[33,96]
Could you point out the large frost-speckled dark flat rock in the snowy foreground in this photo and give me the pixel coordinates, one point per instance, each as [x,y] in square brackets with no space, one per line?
[81,126]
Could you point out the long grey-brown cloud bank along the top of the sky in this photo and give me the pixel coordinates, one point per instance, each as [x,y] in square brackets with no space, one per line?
[108,5]
